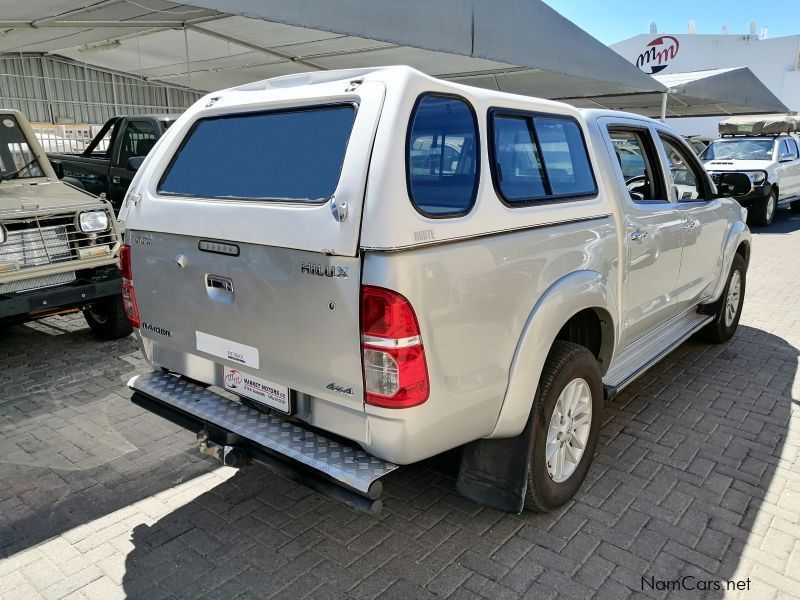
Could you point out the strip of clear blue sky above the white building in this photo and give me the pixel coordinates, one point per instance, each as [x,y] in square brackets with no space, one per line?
[613,20]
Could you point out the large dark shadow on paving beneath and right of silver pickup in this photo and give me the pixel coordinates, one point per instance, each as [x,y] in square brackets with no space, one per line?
[684,478]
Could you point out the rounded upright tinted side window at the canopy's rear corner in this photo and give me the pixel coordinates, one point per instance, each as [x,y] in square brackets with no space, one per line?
[442,156]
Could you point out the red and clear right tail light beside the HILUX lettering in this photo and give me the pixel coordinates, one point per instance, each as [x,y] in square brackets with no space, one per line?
[395,371]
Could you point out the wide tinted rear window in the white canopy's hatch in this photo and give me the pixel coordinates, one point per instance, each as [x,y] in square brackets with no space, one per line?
[293,155]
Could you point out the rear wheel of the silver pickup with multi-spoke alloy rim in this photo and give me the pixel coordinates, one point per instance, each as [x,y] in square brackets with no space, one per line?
[568,365]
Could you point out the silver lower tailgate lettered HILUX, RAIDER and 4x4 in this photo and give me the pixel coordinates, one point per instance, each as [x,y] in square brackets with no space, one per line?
[273,313]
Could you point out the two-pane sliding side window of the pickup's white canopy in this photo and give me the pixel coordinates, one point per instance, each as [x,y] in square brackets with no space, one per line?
[539,158]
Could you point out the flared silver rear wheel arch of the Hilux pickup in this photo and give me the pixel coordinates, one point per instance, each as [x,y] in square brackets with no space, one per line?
[570,309]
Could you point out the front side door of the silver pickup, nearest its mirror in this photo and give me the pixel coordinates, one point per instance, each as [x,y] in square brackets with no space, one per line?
[704,224]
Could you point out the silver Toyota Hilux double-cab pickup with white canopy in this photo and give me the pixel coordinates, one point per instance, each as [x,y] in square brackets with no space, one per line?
[338,273]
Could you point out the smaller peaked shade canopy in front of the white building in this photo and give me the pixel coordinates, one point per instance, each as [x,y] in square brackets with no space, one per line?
[718,92]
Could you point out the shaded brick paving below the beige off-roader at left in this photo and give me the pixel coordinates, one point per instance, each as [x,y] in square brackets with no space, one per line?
[72,446]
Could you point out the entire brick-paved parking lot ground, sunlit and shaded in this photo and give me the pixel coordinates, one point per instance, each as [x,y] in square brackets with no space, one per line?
[697,480]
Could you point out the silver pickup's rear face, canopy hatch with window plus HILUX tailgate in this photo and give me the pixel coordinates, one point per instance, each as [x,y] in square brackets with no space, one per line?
[244,245]
